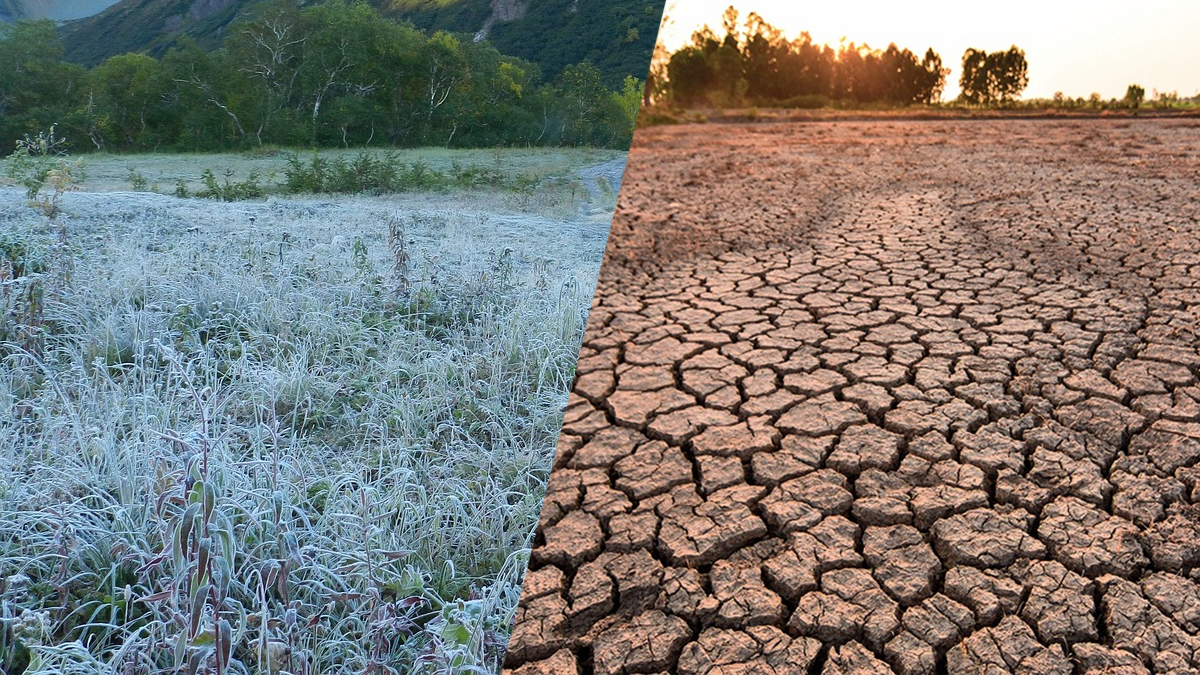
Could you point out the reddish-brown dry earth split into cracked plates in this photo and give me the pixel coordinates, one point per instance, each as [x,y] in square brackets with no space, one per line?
[891,397]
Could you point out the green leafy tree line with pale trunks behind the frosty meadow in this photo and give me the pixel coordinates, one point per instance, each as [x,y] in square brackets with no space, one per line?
[331,75]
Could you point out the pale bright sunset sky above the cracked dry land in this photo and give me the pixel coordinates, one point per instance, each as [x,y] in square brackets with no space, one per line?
[1076,47]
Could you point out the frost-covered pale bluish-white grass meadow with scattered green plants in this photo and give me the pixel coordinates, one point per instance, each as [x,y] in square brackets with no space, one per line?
[279,437]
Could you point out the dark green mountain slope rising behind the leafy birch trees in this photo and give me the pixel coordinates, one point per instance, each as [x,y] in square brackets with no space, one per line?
[616,35]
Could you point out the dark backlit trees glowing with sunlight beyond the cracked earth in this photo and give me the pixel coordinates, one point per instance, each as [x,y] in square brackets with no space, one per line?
[754,64]
